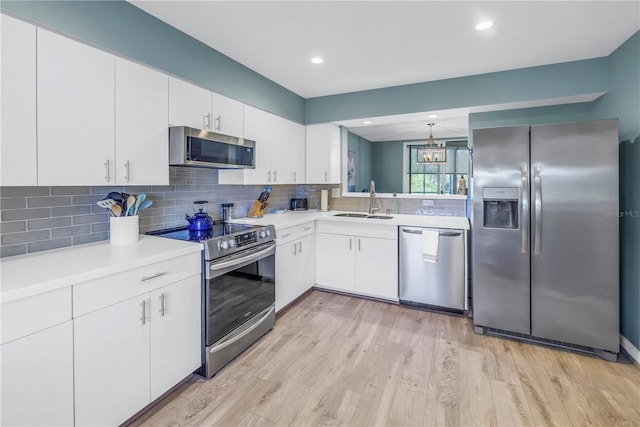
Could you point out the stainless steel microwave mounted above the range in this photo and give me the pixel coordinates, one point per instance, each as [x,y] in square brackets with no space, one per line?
[201,148]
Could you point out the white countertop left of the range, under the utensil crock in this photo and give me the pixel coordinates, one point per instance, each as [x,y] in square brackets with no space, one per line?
[26,275]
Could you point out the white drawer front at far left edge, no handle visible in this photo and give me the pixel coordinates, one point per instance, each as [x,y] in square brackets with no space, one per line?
[29,315]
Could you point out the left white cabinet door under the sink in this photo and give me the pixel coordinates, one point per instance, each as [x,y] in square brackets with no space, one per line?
[335,260]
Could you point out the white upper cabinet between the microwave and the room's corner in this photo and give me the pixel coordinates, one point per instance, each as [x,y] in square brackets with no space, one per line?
[279,151]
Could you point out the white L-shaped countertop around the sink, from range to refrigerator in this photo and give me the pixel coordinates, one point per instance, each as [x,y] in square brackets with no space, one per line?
[290,219]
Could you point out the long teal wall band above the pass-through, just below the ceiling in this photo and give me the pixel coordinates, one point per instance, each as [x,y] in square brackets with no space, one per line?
[535,83]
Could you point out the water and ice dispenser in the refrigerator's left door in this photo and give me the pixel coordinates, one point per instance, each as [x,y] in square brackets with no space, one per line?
[500,207]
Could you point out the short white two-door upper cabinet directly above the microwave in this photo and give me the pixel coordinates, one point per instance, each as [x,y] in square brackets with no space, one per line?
[196,107]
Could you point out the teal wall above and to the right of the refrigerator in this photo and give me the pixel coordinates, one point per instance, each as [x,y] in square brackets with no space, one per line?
[622,102]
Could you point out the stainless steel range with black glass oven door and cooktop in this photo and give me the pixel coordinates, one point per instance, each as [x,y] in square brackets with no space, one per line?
[238,288]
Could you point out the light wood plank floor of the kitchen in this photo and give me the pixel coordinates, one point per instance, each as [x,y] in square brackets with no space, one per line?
[337,360]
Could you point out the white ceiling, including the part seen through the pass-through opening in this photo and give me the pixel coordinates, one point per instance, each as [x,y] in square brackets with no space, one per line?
[374,44]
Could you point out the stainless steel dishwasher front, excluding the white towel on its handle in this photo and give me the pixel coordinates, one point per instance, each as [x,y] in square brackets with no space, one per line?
[440,284]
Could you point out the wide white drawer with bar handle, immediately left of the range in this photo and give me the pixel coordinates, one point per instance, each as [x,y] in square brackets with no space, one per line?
[96,294]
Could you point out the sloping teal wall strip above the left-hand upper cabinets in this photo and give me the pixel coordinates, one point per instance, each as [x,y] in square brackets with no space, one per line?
[125,30]
